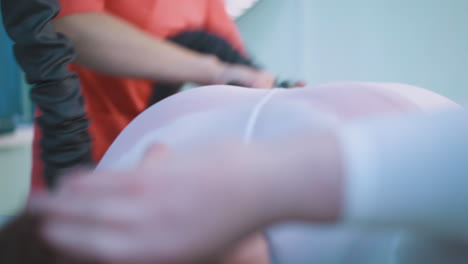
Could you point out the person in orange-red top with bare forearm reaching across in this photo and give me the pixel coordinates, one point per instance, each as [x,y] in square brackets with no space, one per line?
[121,51]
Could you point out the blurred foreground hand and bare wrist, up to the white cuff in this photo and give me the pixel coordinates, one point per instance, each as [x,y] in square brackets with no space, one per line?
[194,206]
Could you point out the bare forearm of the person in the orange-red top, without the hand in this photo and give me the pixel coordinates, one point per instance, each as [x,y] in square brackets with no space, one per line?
[109,45]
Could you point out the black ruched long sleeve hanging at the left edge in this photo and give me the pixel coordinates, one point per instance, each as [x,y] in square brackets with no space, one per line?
[44,55]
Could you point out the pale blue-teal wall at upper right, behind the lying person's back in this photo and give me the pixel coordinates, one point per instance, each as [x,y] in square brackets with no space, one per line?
[420,42]
